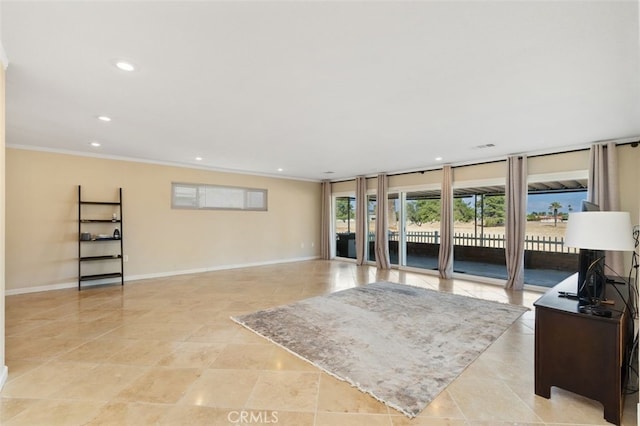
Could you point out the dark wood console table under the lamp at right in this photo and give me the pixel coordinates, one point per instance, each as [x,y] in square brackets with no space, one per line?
[581,352]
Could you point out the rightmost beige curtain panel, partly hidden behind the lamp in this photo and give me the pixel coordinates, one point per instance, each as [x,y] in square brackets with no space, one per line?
[604,191]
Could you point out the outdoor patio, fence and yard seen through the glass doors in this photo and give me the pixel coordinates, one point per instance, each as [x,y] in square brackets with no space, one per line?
[478,243]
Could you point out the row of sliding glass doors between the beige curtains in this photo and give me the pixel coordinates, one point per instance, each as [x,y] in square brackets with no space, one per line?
[413,227]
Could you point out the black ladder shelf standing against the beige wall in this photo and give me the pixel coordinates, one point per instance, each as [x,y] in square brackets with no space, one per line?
[110,251]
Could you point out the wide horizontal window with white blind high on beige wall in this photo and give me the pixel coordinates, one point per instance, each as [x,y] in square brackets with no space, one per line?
[216,197]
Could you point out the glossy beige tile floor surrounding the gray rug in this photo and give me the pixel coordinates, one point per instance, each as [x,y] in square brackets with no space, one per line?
[164,351]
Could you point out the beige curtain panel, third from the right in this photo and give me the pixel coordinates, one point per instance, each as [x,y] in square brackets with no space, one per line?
[445,255]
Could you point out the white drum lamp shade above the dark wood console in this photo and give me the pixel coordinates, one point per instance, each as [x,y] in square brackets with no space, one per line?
[600,231]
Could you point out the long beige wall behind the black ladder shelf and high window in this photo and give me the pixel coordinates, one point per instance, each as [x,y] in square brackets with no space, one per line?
[42,210]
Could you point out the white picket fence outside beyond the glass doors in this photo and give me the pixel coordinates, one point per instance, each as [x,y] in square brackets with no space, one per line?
[532,242]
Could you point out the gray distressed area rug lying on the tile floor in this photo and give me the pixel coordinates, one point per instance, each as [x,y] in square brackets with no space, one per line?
[403,345]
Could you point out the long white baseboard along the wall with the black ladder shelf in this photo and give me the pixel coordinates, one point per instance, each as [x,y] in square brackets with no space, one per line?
[132,278]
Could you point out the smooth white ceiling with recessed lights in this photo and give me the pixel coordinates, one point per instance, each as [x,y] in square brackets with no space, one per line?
[310,87]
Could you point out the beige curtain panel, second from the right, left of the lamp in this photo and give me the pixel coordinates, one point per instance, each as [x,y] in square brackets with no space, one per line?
[516,220]
